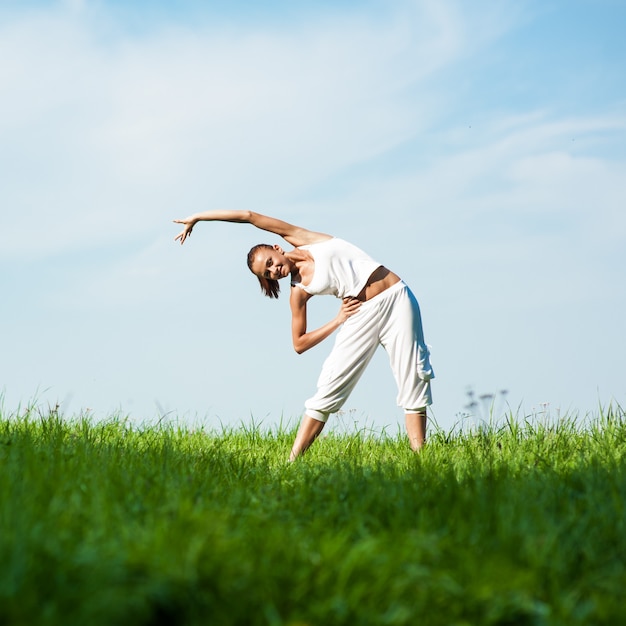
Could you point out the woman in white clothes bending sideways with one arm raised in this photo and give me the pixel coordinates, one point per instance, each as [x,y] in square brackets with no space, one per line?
[377,309]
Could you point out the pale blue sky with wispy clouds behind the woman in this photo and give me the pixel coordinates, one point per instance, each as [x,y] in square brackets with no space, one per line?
[478,151]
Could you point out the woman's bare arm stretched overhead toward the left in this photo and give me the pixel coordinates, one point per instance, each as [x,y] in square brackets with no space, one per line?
[295,235]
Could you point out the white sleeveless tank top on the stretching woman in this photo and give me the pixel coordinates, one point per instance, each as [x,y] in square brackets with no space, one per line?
[341,269]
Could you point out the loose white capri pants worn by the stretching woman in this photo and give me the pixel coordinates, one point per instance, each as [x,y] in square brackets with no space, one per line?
[391,319]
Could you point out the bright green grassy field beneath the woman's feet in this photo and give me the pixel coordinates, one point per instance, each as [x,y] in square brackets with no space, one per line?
[101,523]
